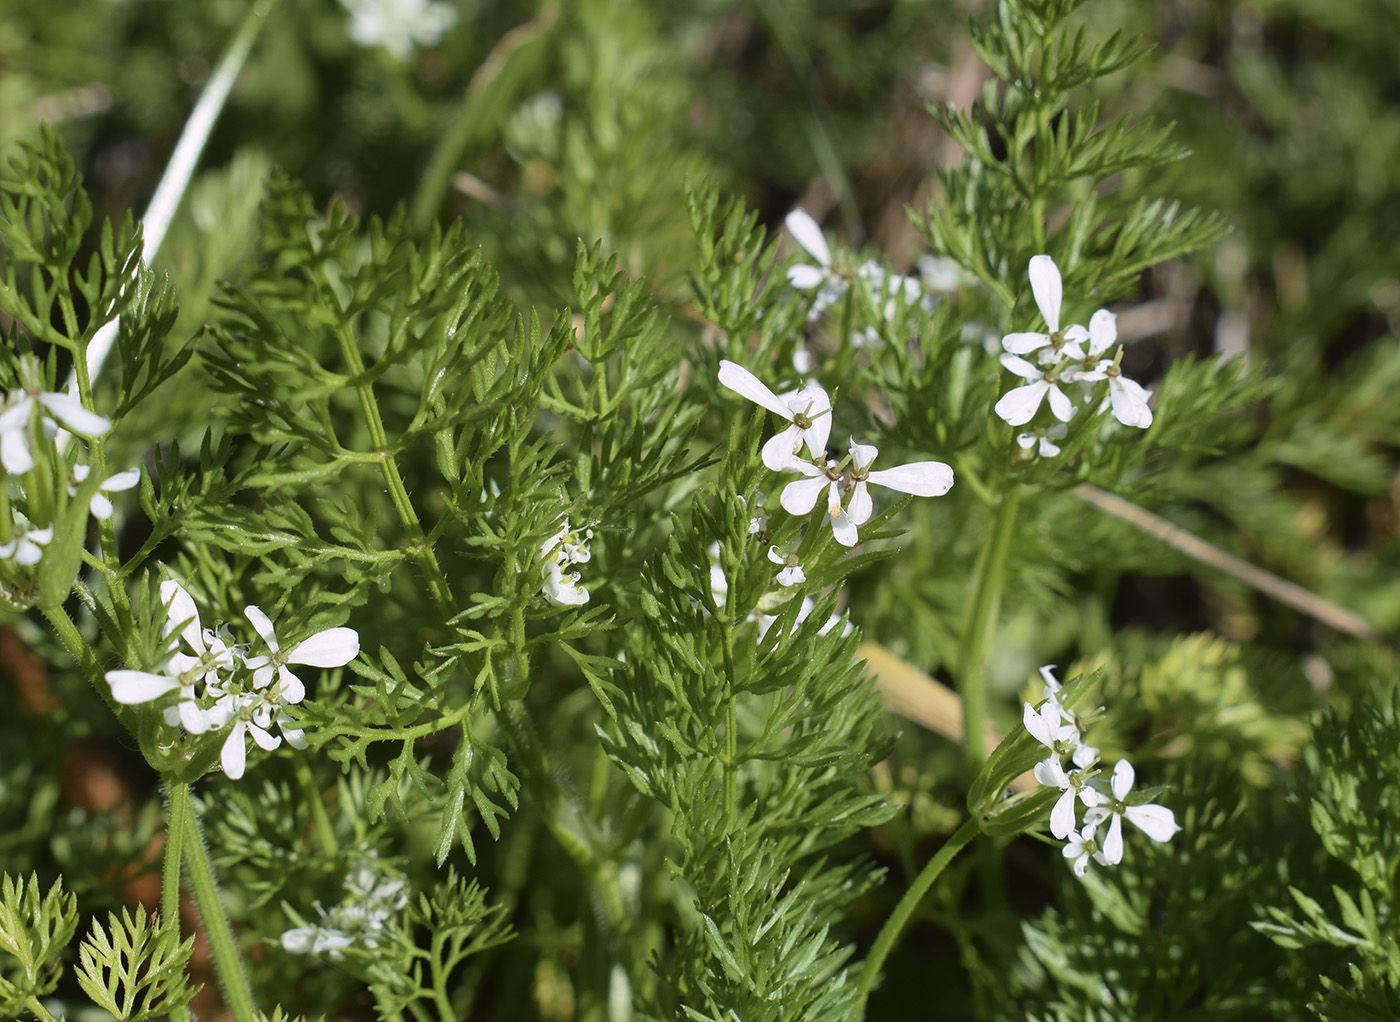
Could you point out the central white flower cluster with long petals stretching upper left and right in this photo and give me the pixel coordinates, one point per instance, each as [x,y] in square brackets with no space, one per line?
[845,484]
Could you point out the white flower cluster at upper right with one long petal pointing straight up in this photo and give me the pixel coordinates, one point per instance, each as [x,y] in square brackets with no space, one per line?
[1074,355]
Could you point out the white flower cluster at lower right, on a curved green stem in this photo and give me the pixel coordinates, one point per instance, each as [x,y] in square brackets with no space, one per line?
[1073,768]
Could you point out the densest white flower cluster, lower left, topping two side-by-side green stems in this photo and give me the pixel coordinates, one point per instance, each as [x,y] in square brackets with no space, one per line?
[218,685]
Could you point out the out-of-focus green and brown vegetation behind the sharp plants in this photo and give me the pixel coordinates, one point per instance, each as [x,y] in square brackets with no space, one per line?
[540,124]
